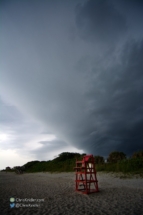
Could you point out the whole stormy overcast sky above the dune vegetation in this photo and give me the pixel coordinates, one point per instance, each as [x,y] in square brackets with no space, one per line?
[71,78]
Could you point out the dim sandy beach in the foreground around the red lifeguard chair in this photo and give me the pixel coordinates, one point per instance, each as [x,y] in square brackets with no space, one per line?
[54,194]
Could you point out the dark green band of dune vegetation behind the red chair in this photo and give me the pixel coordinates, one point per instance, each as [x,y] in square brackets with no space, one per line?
[65,162]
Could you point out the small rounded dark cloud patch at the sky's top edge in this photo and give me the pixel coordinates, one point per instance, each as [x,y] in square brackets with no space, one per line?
[100,21]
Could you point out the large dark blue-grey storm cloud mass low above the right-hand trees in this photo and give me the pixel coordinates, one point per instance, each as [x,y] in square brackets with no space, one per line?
[118,103]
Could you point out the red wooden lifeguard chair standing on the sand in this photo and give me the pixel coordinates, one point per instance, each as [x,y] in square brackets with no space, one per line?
[86,181]
